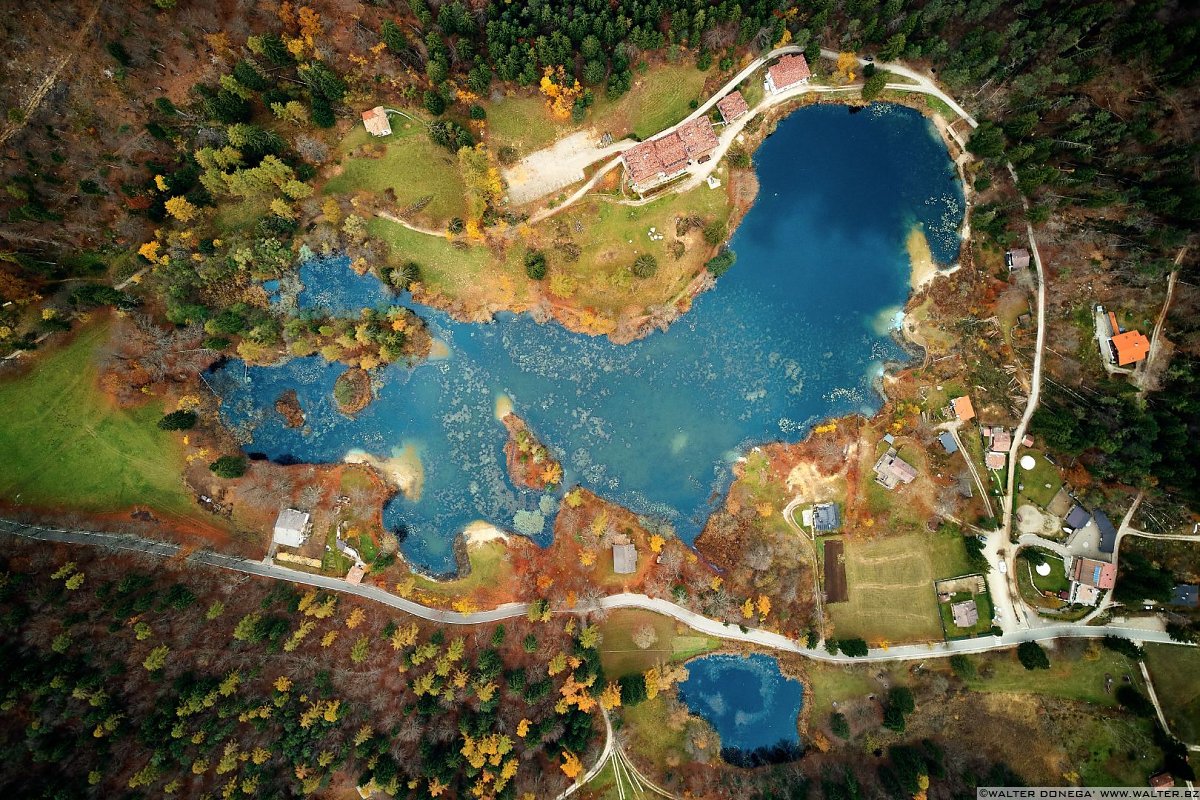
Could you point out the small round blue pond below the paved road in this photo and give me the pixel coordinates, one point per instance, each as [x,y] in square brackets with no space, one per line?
[748,701]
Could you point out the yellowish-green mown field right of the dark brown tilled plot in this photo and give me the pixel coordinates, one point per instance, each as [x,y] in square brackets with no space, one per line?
[892,587]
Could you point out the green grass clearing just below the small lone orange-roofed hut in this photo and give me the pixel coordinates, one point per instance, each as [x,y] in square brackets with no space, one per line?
[410,165]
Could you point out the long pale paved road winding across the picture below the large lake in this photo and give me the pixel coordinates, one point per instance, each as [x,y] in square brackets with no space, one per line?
[628,600]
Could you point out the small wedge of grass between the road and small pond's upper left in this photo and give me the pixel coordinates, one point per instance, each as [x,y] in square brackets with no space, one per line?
[621,657]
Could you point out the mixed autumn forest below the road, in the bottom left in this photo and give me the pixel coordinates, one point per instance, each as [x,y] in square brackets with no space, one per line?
[130,678]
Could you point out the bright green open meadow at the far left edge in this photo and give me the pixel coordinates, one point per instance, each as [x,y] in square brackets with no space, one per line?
[68,447]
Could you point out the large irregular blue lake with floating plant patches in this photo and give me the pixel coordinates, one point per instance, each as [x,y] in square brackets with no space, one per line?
[794,334]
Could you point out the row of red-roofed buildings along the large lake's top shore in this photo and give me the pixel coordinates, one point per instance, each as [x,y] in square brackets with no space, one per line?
[665,158]
